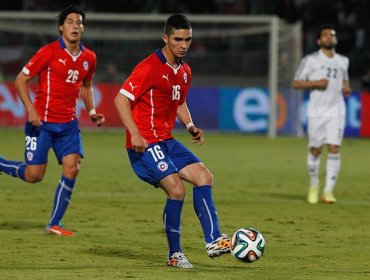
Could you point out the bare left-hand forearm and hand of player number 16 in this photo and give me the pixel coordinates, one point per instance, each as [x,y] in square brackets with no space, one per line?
[123,106]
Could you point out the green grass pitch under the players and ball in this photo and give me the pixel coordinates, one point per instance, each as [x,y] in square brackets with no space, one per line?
[118,219]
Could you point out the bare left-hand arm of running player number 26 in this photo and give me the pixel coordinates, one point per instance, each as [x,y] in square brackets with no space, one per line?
[22,89]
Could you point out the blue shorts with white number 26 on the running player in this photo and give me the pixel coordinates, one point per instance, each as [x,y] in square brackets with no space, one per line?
[64,138]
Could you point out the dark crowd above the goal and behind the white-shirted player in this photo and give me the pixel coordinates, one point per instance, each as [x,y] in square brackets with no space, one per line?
[350,17]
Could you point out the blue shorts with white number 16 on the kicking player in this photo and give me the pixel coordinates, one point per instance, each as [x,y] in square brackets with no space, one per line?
[160,160]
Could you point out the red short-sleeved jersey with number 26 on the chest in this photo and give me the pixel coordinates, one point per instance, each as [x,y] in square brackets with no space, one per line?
[60,77]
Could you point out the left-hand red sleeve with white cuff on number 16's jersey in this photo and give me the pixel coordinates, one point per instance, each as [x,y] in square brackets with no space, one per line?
[140,81]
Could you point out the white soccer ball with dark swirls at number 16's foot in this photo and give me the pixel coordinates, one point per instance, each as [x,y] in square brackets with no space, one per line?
[247,244]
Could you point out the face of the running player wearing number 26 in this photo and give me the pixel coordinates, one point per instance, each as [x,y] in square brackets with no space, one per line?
[72,27]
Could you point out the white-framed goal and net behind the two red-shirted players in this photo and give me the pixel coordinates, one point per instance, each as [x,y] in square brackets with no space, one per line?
[227,51]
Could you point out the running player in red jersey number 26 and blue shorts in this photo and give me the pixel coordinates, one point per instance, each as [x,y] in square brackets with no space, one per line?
[65,69]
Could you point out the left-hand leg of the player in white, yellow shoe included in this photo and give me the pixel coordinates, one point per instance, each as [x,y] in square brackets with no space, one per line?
[315,142]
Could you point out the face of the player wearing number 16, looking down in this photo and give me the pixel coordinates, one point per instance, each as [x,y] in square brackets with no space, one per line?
[178,42]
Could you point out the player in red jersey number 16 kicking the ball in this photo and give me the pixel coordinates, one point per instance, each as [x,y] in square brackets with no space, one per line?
[148,104]
